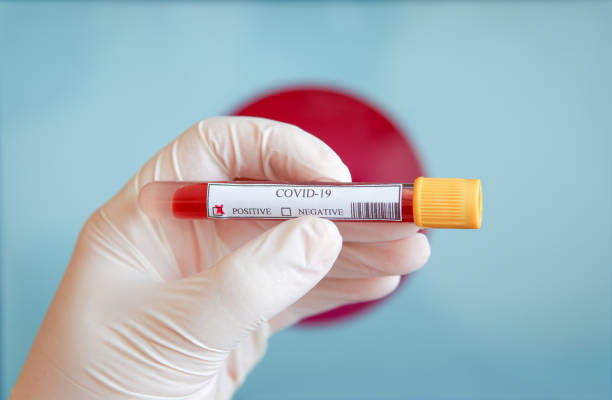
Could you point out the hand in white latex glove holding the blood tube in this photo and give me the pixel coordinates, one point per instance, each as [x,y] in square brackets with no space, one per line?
[178,309]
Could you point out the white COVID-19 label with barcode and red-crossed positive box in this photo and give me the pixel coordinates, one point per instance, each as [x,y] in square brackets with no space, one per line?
[377,202]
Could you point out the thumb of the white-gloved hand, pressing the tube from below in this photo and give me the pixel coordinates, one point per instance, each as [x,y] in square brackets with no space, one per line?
[220,306]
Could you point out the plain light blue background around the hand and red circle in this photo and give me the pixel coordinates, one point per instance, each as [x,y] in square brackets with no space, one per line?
[518,93]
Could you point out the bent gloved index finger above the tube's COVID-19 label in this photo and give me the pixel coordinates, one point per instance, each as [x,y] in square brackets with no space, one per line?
[225,148]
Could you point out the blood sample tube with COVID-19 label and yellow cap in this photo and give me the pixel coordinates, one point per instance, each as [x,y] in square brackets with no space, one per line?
[428,202]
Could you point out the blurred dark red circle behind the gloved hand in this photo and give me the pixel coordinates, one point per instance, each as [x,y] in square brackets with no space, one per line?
[373,147]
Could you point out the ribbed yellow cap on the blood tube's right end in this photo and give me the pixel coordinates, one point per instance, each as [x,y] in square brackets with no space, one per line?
[447,203]
